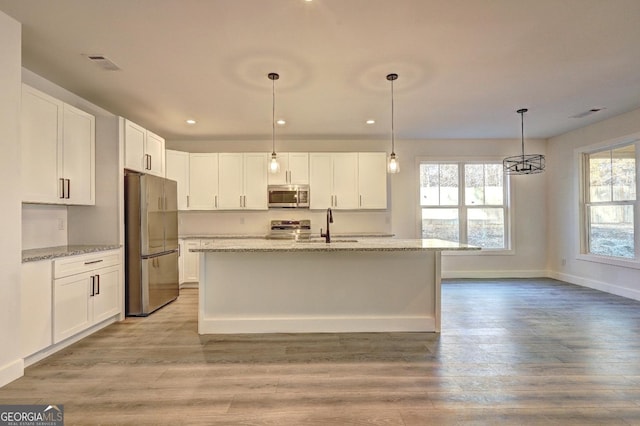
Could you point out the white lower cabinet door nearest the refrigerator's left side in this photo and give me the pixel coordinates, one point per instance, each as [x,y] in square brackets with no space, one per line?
[106,293]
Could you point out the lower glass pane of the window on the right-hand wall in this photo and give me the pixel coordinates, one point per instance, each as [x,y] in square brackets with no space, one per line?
[611,231]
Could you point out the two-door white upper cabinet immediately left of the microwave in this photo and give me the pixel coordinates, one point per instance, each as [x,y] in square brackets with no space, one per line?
[242,181]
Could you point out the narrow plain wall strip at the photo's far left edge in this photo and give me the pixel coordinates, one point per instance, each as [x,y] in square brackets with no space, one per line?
[11,364]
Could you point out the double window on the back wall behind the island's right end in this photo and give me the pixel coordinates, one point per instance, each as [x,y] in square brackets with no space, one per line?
[464,202]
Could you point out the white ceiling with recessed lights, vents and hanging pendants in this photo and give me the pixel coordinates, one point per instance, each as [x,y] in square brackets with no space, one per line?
[465,66]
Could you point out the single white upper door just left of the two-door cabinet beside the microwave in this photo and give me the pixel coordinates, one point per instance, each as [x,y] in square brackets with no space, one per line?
[203,181]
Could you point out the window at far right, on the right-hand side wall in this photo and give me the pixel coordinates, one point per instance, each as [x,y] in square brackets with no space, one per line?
[610,202]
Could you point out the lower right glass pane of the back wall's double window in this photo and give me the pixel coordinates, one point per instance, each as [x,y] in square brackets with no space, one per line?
[485,227]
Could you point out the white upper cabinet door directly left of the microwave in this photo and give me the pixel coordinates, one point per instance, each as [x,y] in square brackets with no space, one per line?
[255,181]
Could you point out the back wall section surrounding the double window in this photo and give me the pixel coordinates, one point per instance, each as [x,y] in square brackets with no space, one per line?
[528,257]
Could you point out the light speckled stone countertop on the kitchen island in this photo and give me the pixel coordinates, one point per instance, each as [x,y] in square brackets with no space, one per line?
[338,244]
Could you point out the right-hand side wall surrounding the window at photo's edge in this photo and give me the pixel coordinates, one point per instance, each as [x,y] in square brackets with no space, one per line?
[563,223]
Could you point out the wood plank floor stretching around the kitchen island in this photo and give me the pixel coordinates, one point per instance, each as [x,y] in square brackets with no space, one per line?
[511,352]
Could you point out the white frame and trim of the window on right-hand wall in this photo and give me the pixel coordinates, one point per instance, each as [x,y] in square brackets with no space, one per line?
[584,202]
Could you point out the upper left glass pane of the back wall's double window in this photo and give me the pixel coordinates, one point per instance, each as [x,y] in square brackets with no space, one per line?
[438,184]
